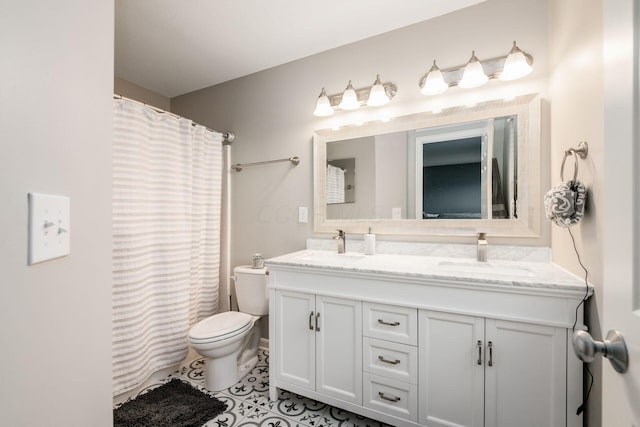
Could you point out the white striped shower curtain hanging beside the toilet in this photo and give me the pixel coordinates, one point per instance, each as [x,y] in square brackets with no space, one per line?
[167,184]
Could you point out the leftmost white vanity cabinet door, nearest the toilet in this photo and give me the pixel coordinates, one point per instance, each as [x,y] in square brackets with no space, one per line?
[295,337]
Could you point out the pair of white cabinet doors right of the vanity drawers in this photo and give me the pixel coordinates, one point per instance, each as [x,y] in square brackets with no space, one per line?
[477,371]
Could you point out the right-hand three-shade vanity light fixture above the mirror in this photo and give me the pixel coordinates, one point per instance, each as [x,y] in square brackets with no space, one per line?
[475,73]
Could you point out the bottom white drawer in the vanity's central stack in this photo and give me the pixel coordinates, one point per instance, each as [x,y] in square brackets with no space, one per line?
[392,397]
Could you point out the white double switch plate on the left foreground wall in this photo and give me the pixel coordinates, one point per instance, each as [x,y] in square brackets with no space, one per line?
[49,227]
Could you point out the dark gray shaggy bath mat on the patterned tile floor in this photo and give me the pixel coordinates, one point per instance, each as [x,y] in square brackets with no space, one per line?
[174,404]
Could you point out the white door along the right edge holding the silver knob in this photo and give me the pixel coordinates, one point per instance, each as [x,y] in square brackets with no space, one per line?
[621,193]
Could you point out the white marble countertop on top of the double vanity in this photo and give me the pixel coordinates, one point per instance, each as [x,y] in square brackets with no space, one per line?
[463,270]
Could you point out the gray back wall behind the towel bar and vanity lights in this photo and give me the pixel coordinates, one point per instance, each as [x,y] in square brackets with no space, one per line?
[271,111]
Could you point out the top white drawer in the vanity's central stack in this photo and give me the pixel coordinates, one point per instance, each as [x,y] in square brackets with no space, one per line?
[391,323]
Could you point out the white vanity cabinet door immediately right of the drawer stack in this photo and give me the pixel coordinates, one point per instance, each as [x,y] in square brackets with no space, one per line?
[451,358]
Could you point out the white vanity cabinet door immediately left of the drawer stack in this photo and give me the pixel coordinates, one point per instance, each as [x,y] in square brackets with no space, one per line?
[339,348]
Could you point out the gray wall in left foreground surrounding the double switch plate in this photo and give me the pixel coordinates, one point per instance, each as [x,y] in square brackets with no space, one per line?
[56,81]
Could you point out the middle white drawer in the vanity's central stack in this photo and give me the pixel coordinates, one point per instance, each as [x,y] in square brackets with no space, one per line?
[390,360]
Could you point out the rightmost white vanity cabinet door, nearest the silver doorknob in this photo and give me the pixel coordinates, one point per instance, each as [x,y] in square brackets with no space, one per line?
[525,375]
